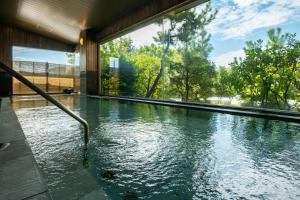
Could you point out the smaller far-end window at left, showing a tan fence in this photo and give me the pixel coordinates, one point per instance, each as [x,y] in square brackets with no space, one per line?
[52,71]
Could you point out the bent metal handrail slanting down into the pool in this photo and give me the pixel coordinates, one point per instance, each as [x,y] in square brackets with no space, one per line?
[49,98]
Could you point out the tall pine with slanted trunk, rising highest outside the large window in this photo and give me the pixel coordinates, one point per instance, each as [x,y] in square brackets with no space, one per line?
[183,27]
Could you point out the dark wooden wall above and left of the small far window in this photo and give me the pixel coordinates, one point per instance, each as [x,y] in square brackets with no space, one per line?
[9,37]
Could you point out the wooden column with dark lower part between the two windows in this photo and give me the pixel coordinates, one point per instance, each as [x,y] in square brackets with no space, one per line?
[89,79]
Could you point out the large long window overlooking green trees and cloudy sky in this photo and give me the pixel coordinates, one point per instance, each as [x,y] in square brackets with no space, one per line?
[240,53]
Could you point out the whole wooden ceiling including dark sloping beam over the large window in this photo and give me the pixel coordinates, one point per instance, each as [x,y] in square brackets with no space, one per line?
[63,20]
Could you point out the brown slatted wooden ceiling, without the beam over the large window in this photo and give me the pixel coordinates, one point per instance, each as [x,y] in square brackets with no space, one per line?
[64,19]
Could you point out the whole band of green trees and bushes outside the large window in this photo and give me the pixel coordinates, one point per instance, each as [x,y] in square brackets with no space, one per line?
[177,65]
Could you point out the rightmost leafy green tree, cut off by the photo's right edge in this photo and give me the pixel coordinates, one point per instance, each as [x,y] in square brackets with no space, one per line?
[286,55]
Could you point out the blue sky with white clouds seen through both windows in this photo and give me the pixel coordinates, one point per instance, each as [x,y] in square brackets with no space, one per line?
[237,21]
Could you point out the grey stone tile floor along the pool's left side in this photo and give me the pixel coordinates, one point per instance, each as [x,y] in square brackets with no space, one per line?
[20,177]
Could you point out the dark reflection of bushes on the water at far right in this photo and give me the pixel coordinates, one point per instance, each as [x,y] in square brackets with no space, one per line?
[267,141]
